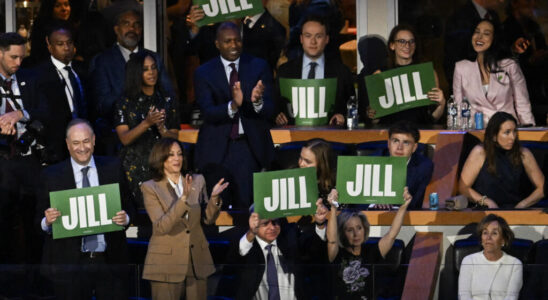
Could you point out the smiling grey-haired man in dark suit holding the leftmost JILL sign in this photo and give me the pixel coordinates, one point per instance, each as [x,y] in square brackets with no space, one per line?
[80,265]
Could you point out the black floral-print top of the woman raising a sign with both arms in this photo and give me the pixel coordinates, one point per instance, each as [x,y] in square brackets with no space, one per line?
[354,277]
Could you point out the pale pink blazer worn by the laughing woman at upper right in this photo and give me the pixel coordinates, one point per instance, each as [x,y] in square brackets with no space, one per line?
[507,90]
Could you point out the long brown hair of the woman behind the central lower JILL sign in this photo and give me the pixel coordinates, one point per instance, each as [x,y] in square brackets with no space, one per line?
[325,169]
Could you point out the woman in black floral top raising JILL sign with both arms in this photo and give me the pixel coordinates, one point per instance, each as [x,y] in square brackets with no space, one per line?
[346,236]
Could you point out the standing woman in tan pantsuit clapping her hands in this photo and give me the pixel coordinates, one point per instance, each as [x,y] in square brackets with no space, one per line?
[178,260]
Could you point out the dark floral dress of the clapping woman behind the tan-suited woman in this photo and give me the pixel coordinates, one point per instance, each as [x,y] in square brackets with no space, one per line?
[134,156]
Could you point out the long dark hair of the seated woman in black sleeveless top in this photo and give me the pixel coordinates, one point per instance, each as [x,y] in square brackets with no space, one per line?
[490,145]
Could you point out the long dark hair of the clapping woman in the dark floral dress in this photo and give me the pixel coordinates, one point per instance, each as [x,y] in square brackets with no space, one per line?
[134,75]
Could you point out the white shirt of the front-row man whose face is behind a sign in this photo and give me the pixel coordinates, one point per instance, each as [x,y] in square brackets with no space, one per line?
[286,281]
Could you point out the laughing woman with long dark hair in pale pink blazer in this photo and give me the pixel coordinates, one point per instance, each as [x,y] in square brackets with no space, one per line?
[492,81]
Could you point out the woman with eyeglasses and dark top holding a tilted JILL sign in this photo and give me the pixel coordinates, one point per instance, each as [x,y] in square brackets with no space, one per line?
[402,51]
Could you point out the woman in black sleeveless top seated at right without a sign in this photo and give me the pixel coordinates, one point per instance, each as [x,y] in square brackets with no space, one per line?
[494,171]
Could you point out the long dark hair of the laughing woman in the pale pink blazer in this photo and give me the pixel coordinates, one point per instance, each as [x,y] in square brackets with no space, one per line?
[495,53]
